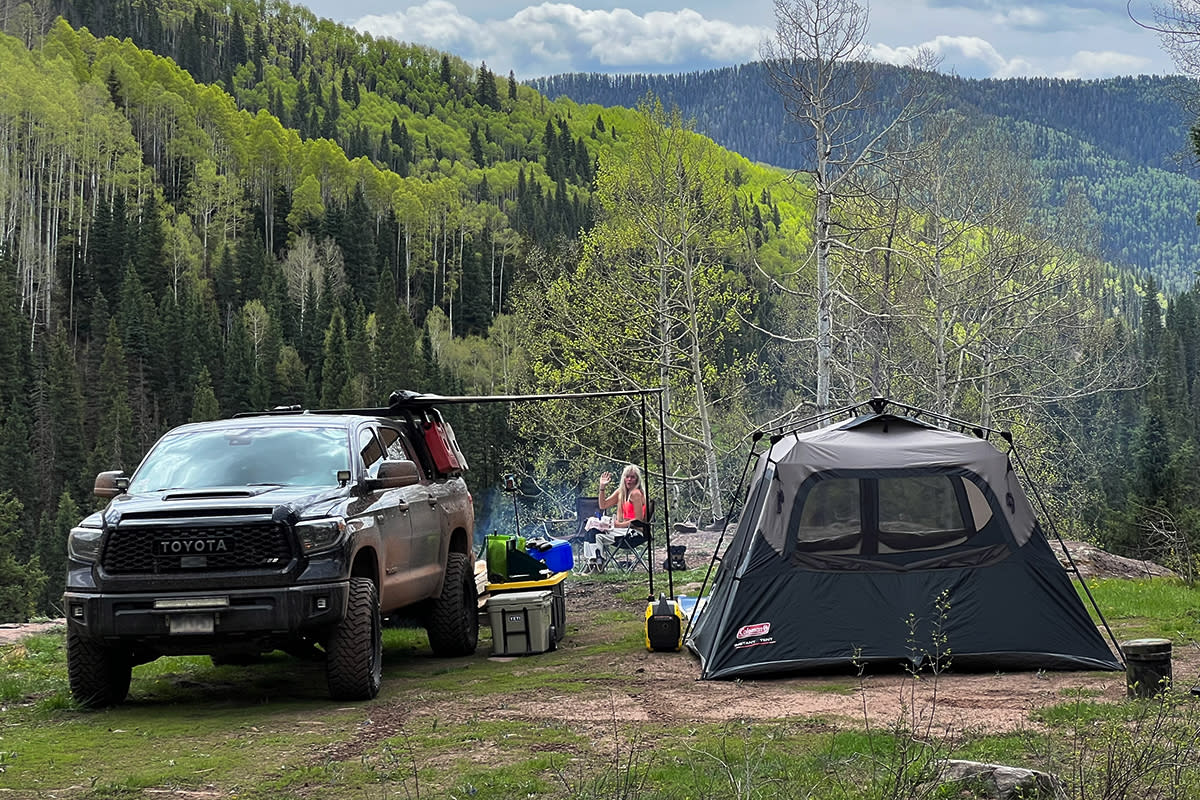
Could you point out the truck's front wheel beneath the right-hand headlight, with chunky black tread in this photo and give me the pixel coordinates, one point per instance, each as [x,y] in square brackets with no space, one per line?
[355,652]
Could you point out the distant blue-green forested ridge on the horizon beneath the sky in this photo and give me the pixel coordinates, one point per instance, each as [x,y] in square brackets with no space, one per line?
[1124,141]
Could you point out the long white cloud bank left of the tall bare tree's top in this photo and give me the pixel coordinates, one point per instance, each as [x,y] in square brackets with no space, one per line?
[560,38]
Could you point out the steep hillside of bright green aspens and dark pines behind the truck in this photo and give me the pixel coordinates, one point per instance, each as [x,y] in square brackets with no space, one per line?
[332,219]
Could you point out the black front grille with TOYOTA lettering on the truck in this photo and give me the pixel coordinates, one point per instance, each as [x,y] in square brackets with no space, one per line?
[197,549]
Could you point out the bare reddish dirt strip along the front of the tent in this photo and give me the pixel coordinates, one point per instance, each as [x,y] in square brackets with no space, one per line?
[664,688]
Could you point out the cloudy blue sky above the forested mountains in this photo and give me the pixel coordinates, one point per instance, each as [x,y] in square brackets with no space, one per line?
[975,39]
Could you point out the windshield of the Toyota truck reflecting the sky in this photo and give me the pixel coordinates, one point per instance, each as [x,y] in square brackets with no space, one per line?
[250,456]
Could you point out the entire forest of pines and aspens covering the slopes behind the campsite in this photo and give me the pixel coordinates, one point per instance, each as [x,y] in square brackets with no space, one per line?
[208,209]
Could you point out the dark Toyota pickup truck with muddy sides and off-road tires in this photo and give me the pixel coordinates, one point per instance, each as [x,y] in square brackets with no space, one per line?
[289,531]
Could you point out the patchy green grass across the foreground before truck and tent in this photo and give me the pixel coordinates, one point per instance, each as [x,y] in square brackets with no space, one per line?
[463,727]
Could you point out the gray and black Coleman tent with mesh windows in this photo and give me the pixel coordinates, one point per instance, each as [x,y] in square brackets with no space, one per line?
[887,540]
